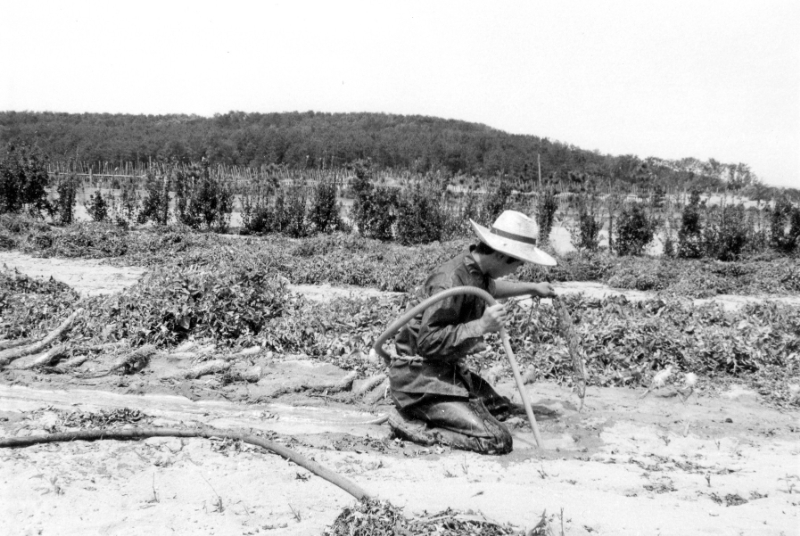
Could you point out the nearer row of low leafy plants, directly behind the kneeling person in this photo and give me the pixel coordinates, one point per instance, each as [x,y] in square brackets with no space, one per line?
[623,343]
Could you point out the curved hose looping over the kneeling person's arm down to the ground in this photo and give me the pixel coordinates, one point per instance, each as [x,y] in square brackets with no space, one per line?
[395,326]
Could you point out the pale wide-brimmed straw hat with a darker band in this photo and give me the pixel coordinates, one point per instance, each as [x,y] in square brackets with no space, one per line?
[514,234]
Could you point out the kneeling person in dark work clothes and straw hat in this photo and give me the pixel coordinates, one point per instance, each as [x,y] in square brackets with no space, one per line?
[429,379]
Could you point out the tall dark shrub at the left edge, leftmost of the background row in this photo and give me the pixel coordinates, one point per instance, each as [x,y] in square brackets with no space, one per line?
[23,179]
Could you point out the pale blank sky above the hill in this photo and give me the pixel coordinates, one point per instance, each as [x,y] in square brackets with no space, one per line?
[703,79]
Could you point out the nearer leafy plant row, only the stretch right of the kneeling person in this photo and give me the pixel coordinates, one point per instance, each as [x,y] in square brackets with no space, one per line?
[623,342]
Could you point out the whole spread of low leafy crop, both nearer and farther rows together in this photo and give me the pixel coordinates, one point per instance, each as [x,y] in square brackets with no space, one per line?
[234,291]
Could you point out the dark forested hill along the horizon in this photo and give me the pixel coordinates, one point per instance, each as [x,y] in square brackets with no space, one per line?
[310,139]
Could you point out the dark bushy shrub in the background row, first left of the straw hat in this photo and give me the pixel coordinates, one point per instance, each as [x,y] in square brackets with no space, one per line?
[419,218]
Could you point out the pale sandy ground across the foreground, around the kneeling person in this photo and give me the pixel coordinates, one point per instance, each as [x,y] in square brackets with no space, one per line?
[720,463]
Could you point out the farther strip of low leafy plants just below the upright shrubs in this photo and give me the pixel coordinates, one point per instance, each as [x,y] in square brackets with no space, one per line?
[346,259]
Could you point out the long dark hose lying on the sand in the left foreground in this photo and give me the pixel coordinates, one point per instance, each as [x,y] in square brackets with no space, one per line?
[141,433]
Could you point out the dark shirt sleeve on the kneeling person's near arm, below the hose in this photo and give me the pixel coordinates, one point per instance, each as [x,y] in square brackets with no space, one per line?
[442,333]
